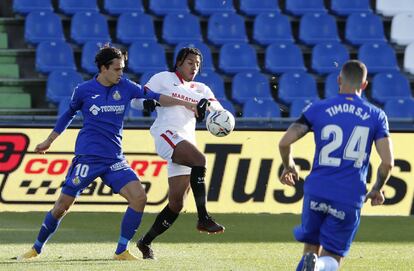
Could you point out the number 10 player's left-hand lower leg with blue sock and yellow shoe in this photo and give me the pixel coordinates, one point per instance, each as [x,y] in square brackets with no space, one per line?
[49,225]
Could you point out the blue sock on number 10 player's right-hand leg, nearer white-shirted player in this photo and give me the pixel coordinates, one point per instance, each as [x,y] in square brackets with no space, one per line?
[129,226]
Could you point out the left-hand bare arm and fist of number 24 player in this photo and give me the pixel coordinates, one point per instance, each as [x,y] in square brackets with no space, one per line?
[294,133]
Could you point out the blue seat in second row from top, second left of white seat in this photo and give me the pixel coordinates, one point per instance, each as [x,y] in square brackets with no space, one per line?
[317,27]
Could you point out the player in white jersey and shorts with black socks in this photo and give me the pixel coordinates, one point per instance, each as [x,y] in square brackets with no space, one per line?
[174,136]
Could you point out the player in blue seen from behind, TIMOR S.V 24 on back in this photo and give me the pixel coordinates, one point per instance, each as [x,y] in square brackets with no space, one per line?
[345,128]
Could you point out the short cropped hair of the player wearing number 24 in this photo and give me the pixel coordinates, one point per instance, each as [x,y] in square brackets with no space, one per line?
[354,73]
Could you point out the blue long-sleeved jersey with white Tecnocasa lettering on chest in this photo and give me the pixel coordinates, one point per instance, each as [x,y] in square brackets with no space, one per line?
[103,109]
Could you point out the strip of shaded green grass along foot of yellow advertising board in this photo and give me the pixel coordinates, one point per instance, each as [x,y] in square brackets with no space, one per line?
[18,228]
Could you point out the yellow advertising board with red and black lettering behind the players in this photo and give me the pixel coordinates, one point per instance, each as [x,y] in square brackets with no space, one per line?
[241,175]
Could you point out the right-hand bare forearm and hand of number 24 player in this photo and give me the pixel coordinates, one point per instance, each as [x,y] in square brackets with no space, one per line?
[384,149]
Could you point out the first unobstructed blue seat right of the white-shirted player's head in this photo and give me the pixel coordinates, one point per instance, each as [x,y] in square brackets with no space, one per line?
[237,57]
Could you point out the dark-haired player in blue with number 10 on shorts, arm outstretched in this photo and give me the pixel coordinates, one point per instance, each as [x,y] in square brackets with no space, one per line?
[103,101]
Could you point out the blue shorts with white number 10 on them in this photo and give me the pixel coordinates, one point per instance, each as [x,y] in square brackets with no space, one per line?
[115,173]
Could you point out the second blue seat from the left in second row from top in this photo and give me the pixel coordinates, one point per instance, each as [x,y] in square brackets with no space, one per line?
[89,26]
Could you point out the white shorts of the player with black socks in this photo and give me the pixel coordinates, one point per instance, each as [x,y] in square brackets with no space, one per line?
[165,143]
